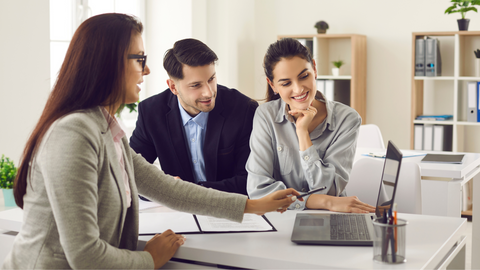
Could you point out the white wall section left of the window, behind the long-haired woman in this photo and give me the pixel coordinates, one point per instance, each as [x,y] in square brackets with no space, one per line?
[24,70]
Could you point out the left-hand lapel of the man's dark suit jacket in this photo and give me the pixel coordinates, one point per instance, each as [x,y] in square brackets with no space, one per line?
[175,128]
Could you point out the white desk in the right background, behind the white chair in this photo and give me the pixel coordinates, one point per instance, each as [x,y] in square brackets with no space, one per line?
[442,190]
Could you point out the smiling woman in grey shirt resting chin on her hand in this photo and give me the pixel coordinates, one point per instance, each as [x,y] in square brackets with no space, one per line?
[300,139]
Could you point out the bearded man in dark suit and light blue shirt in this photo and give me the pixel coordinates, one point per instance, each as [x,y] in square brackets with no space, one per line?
[199,130]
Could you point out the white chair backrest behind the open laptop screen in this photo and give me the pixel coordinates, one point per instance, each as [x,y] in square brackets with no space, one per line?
[364,182]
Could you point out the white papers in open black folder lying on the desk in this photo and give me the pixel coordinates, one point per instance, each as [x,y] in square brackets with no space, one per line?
[184,223]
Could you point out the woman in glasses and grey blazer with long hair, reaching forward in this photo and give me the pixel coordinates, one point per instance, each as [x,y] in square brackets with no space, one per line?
[78,180]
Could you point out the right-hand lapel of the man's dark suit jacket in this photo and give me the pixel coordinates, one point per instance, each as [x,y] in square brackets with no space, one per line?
[212,139]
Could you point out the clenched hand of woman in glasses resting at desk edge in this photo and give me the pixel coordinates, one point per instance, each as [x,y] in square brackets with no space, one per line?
[163,246]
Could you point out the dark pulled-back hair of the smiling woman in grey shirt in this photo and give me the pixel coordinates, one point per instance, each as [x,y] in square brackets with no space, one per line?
[284,48]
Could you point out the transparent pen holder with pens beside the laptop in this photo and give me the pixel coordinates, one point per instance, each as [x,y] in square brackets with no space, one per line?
[389,241]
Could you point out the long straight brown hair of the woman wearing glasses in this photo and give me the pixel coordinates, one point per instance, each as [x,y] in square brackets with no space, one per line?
[92,74]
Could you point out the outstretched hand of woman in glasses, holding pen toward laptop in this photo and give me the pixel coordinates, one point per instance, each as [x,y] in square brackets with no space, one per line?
[277,201]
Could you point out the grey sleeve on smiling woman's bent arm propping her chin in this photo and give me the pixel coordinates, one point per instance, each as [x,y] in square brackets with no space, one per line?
[334,169]
